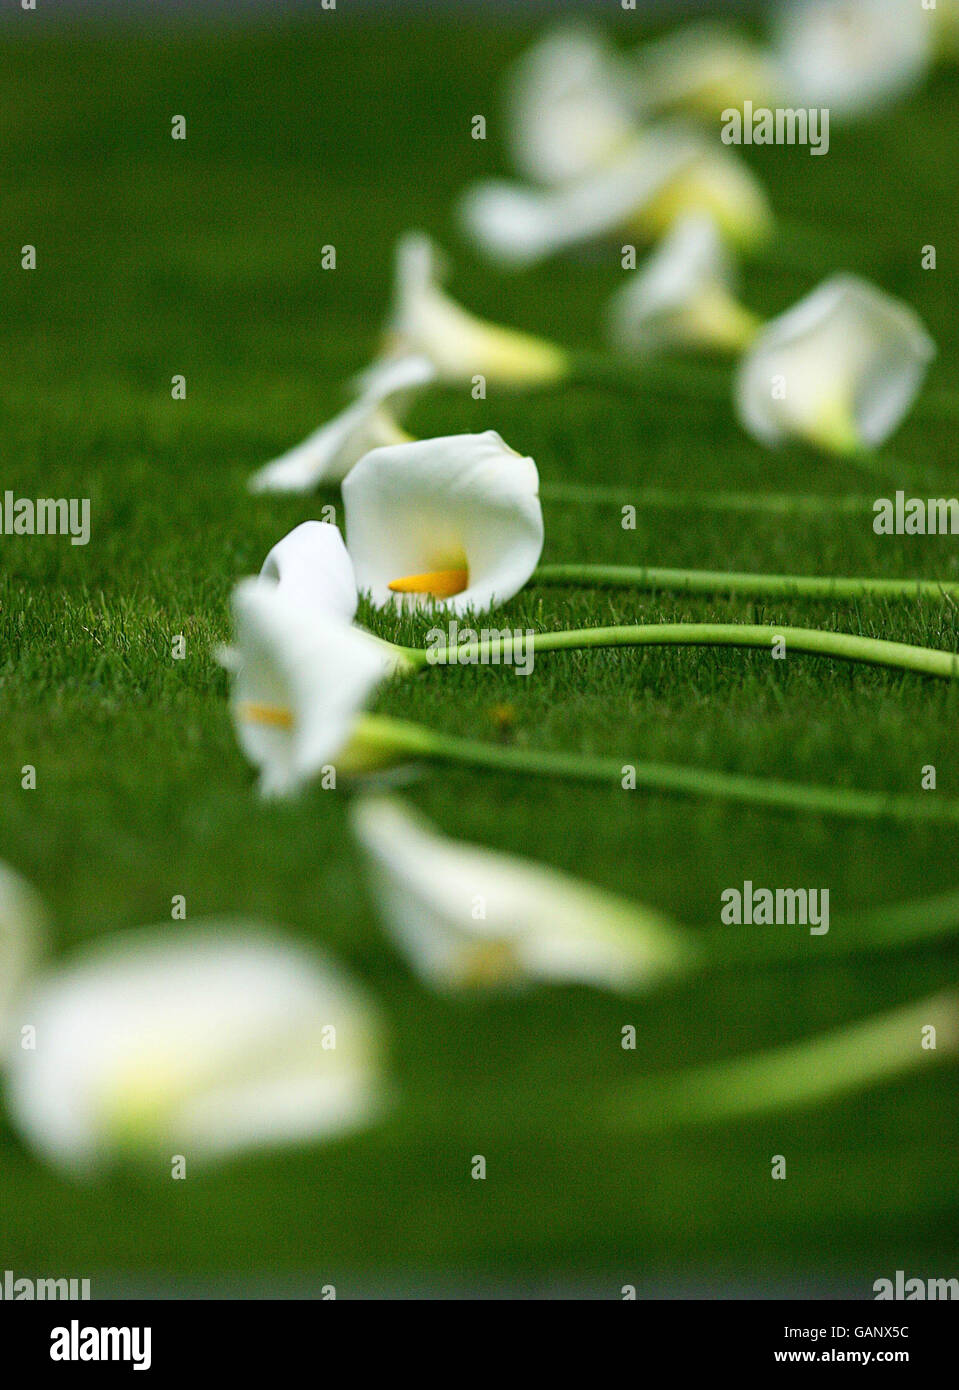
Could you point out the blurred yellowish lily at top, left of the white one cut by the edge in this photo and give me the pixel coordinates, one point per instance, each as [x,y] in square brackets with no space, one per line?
[704,69]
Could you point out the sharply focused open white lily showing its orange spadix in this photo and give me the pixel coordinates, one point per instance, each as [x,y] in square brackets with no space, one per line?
[454,521]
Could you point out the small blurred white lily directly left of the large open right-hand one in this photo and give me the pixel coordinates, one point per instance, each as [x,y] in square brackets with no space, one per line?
[683,295]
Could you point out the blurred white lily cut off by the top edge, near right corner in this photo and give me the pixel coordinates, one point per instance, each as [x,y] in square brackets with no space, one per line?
[854,56]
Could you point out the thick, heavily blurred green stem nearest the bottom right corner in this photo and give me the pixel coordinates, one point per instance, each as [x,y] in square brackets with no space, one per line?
[811,1072]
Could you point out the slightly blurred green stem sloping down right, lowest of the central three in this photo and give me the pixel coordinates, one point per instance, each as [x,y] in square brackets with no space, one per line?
[394,739]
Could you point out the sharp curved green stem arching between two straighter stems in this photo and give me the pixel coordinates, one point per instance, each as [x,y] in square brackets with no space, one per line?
[847,647]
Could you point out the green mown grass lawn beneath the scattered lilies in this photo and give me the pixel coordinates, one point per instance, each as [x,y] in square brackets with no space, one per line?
[204,258]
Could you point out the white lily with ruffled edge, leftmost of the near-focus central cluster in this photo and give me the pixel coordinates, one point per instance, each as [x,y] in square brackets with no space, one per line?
[301,679]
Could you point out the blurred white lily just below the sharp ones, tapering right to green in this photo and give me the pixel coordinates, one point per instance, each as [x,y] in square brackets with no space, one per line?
[469,917]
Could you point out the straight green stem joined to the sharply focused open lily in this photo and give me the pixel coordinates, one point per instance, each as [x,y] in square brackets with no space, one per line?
[751,586]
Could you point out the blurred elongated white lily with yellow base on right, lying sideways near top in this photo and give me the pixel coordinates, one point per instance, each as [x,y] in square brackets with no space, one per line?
[665,176]
